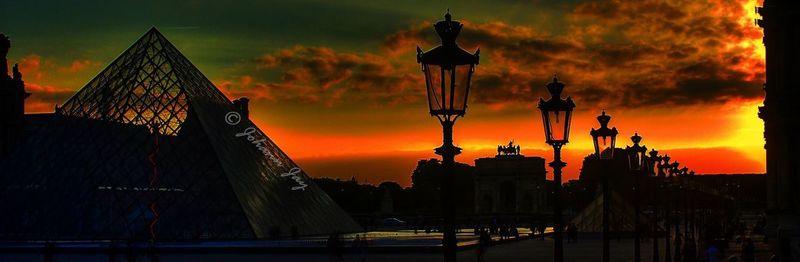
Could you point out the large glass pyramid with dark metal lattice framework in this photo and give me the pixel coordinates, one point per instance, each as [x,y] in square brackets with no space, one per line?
[150,149]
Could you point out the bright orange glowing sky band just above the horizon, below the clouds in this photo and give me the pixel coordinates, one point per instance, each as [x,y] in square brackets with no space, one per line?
[730,135]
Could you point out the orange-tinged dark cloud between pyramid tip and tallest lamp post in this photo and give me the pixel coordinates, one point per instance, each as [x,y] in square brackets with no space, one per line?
[320,74]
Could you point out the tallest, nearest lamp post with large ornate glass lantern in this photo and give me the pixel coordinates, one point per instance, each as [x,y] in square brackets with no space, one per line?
[448,71]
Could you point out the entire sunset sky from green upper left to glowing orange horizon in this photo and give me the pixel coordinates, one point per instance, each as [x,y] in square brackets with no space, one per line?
[685,74]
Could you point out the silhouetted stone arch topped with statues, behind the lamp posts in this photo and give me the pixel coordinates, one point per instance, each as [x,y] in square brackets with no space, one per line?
[510,183]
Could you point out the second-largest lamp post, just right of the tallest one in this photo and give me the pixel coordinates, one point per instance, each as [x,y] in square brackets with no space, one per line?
[556,117]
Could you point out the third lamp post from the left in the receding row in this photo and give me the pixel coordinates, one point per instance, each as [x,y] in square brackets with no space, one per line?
[604,139]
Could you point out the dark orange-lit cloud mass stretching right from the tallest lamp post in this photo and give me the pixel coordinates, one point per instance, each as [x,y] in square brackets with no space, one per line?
[619,53]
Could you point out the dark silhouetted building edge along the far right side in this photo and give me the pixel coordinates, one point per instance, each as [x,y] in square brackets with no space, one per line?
[781,41]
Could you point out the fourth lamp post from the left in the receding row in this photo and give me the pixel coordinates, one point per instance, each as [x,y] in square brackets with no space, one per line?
[636,161]
